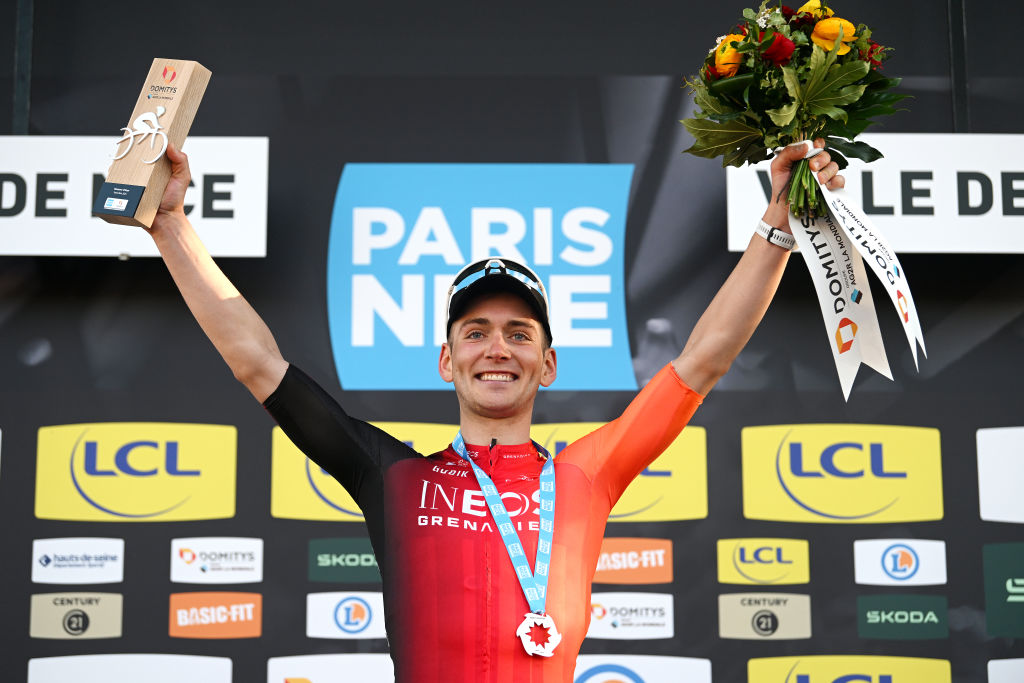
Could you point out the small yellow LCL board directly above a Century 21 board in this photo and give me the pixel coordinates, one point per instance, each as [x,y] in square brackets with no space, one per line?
[763,562]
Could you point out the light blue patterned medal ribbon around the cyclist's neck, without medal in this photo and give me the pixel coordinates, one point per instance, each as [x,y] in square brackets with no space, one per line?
[535,584]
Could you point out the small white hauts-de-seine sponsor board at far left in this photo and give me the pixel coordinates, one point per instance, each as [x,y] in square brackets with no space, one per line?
[78,561]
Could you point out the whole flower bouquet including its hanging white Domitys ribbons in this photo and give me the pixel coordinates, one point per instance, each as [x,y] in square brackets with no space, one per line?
[787,76]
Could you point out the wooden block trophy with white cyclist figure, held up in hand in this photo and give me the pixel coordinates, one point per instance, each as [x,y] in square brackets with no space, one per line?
[163,114]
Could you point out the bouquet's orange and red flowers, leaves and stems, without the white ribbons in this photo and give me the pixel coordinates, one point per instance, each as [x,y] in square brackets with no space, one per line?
[786,76]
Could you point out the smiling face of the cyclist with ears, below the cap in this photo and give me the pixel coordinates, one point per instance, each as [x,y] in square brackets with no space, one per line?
[497,357]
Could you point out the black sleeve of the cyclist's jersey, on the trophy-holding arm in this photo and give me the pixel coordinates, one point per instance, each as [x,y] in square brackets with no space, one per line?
[355,453]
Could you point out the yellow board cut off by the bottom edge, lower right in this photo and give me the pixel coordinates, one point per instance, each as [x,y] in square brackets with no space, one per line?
[839,669]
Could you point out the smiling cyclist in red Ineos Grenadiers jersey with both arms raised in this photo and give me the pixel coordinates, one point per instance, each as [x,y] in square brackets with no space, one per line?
[488,548]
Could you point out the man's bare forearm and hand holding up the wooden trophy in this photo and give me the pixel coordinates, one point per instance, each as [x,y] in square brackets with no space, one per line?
[239,334]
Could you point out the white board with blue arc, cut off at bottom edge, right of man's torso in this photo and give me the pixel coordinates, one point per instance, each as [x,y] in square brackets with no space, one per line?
[641,669]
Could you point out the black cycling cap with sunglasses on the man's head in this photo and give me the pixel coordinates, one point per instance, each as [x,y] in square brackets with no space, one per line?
[498,275]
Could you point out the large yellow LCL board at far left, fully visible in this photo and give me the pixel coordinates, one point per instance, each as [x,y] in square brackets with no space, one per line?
[136,473]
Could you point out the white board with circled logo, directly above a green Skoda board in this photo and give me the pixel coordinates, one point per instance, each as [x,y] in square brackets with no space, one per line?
[900,563]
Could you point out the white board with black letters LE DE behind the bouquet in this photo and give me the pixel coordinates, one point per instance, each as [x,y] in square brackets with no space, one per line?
[930,194]
